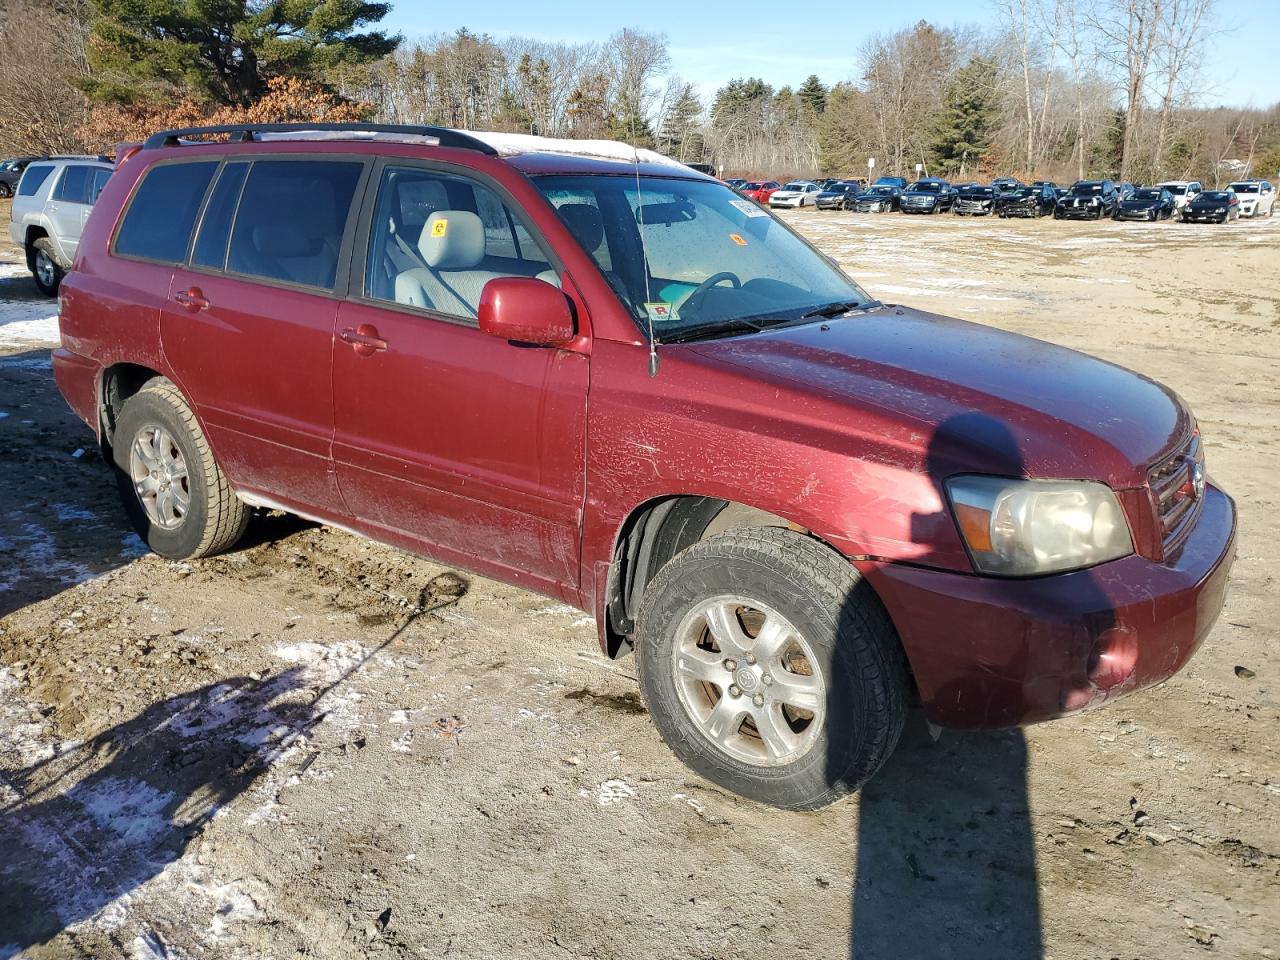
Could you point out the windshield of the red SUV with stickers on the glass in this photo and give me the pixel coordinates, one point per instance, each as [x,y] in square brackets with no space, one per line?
[714,259]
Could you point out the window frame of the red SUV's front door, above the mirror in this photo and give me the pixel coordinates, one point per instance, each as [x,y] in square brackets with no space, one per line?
[358,266]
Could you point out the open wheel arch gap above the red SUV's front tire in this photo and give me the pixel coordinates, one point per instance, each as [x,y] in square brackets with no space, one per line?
[652,534]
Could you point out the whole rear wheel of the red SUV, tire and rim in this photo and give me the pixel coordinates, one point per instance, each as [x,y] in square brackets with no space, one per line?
[173,491]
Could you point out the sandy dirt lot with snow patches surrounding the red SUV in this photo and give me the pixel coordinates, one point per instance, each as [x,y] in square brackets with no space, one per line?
[317,747]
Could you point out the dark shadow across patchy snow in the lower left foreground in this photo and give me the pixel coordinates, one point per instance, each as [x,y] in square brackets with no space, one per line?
[89,826]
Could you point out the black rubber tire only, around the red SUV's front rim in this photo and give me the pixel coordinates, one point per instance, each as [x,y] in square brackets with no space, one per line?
[853,642]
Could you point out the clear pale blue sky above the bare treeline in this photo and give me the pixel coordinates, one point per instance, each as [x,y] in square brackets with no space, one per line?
[711,44]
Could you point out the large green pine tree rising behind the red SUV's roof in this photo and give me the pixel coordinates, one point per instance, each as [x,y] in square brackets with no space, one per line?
[225,52]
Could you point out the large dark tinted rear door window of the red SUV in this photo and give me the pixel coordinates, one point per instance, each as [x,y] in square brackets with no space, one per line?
[291,221]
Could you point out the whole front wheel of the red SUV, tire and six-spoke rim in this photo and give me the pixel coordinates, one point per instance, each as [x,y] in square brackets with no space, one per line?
[771,669]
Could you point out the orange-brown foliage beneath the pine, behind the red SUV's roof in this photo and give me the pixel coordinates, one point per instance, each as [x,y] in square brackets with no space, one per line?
[287,100]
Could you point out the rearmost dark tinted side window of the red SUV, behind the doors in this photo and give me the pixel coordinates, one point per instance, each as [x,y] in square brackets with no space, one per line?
[163,212]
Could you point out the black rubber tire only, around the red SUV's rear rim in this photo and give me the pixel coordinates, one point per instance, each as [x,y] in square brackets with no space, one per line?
[216,518]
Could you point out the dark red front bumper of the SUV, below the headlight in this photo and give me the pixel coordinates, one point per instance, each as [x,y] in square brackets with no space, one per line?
[999,653]
